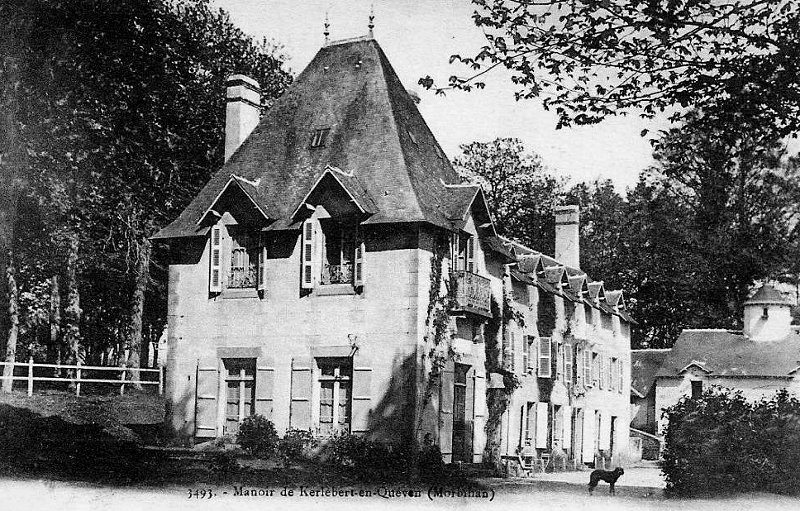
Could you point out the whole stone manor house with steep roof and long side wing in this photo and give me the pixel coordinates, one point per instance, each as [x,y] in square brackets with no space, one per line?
[336,275]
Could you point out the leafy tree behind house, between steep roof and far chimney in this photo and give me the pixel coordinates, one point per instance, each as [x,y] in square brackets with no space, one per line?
[520,191]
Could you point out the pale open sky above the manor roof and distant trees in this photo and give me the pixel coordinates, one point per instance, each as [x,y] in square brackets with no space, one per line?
[418,37]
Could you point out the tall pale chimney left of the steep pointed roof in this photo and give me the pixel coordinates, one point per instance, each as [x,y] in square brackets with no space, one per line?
[242,111]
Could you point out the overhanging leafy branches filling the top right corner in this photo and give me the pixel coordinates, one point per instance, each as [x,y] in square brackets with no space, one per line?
[594,58]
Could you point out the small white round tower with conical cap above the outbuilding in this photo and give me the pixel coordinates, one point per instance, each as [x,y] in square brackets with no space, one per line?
[767,315]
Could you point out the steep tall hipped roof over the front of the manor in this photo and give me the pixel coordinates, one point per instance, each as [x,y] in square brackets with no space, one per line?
[377,135]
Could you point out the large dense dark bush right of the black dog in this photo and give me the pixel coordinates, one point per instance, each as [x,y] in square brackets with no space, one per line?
[722,443]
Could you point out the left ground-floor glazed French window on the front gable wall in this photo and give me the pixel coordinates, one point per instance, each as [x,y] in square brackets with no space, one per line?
[240,379]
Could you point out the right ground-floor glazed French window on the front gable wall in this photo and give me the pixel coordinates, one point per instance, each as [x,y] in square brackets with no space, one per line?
[335,394]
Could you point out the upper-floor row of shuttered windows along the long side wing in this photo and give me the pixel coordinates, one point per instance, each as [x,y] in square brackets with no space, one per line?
[588,368]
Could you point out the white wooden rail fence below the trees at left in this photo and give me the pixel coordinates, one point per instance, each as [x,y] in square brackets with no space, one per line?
[76,375]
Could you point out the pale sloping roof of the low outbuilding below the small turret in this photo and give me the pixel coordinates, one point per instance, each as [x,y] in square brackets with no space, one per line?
[729,353]
